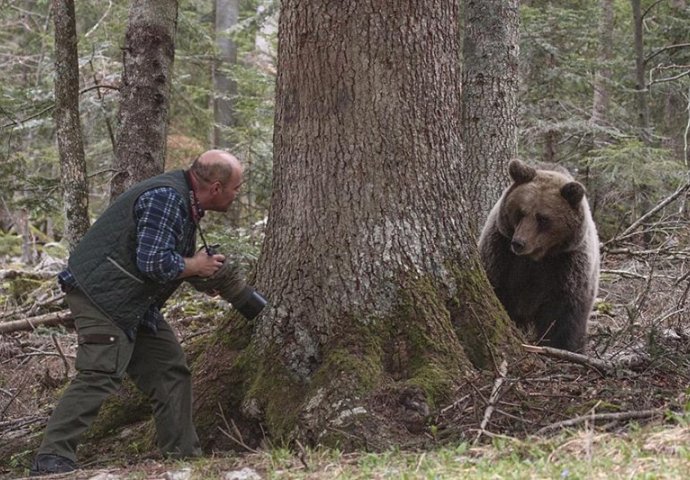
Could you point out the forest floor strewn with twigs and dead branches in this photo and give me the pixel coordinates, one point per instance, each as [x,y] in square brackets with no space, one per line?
[635,372]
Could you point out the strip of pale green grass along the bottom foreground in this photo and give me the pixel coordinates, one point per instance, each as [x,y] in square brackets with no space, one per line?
[658,452]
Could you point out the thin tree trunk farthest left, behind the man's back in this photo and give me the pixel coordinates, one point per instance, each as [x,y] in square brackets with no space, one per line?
[69,135]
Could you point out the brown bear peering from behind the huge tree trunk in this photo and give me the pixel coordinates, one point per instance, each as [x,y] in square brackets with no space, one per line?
[540,250]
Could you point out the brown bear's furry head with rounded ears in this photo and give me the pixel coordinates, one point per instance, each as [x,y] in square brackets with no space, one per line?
[542,212]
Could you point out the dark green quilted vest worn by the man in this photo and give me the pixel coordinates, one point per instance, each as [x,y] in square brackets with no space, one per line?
[104,261]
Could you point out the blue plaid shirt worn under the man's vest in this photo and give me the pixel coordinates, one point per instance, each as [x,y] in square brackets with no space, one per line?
[164,226]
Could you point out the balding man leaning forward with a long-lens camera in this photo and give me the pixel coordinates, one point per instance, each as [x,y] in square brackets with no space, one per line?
[118,277]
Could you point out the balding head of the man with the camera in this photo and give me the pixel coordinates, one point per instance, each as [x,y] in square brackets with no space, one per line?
[218,176]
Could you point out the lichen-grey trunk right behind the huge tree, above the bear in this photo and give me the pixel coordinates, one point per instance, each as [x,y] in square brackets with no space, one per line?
[489,98]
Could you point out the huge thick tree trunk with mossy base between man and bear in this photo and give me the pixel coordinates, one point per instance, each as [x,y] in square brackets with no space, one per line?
[378,302]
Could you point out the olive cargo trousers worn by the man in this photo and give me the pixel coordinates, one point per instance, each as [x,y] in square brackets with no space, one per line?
[154,361]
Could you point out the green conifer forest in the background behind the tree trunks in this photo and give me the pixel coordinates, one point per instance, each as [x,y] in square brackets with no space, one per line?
[580,104]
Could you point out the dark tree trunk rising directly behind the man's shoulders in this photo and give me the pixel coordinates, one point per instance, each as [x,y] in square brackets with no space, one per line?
[145,93]
